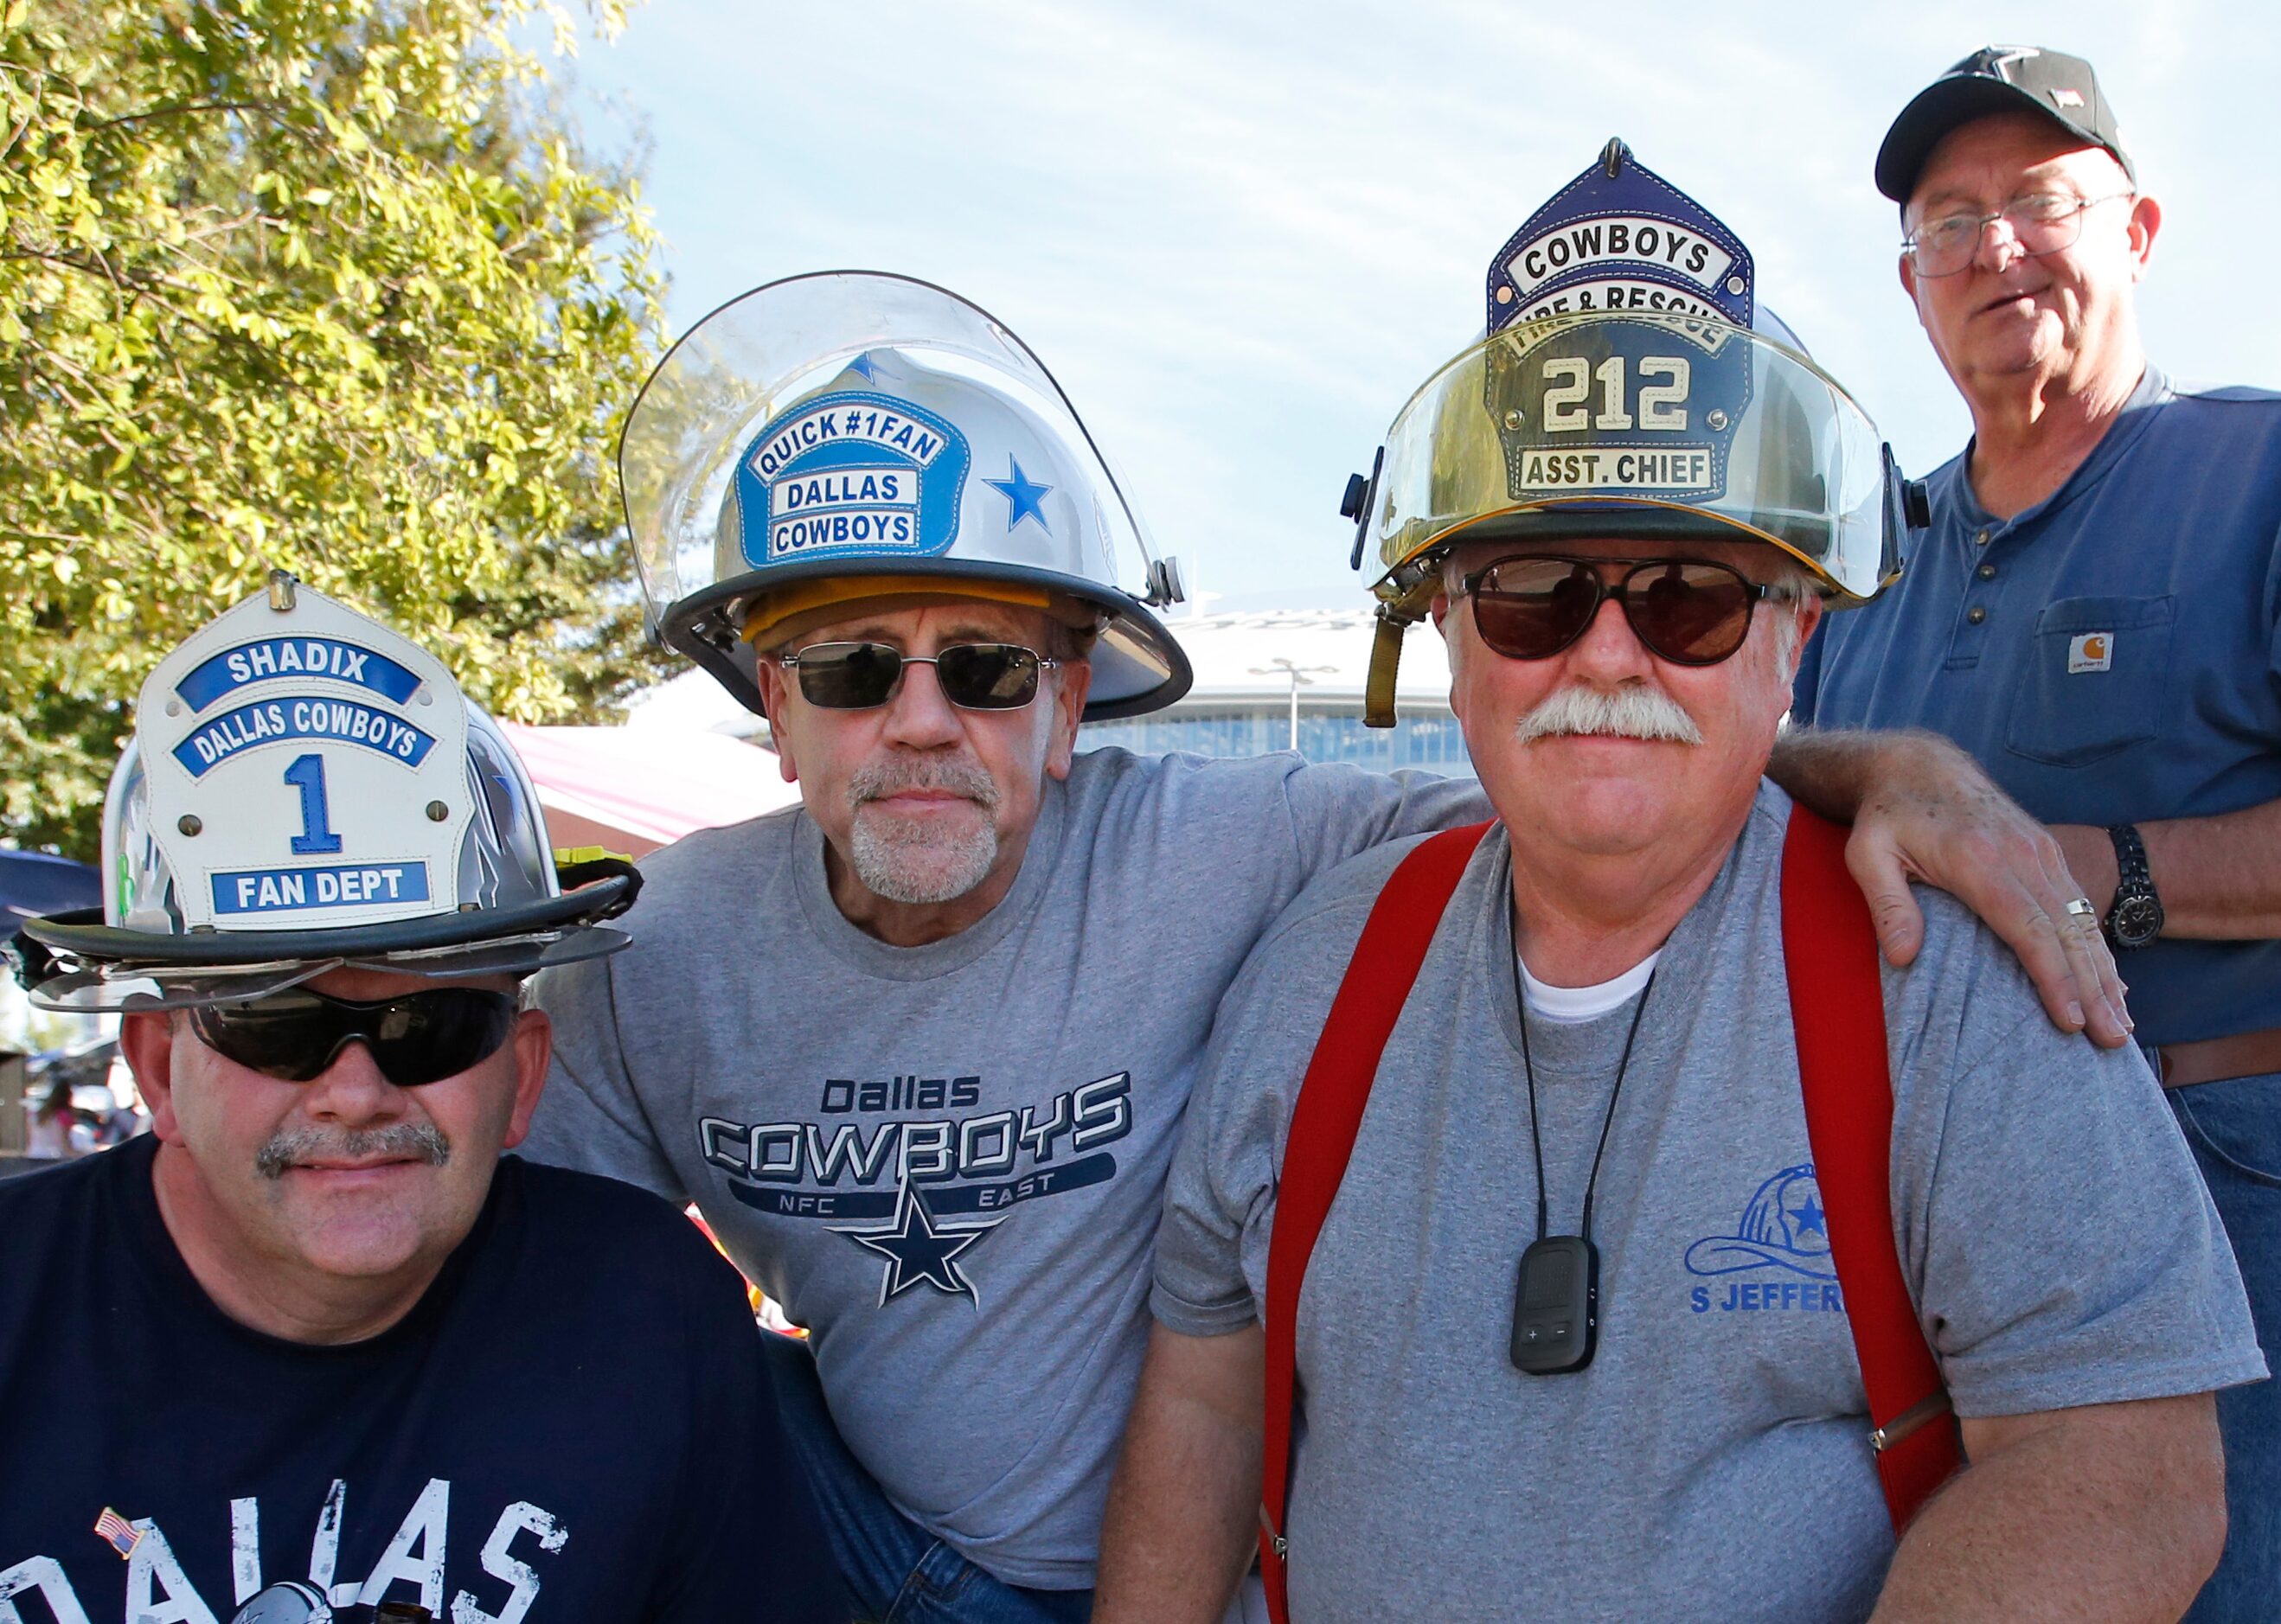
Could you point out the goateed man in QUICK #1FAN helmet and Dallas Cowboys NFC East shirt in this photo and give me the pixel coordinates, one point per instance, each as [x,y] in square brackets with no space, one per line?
[920,1046]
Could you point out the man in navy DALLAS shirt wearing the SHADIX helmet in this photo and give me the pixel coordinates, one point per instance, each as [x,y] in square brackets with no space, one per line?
[314,1340]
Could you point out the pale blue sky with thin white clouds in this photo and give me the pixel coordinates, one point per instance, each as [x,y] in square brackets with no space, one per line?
[1244,234]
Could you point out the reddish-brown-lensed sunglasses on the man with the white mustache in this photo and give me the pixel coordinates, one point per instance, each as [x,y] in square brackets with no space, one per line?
[1691,612]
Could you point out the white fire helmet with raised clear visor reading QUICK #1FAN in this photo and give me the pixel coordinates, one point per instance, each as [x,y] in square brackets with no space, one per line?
[857,435]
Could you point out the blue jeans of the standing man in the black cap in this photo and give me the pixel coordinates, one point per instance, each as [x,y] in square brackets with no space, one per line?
[2234,1130]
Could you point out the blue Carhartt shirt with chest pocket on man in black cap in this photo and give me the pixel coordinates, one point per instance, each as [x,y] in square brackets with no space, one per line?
[2111,656]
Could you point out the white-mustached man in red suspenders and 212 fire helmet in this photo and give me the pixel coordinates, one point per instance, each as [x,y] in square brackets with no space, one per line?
[1678,1249]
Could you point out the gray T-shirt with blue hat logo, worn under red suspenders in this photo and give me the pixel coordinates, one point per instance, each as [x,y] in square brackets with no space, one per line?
[1714,1459]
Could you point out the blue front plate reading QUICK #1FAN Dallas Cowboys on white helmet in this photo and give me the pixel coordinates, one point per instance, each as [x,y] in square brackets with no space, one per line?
[852,476]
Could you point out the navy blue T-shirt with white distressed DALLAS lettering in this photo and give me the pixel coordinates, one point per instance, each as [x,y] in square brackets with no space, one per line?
[571,1424]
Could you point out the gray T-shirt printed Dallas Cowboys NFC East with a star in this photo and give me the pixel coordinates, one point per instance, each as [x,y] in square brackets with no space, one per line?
[948,1162]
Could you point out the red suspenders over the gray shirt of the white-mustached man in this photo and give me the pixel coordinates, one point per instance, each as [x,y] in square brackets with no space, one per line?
[1837,1012]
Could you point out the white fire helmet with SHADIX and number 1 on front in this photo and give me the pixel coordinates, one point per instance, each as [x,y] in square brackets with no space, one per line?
[309,790]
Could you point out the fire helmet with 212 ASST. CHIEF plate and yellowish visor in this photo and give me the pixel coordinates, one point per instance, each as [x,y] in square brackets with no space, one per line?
[1627,387]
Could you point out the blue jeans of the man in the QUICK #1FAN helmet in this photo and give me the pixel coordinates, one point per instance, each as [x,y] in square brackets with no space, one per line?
[893,1570]
